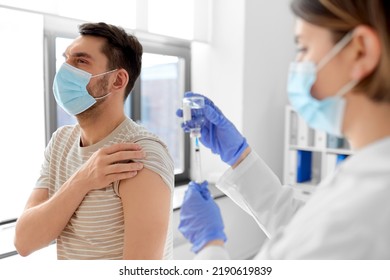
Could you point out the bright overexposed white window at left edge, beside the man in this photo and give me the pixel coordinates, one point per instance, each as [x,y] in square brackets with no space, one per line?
[22,108]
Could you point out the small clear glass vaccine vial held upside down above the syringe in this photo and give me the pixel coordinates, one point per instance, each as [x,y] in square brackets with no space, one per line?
[192,111]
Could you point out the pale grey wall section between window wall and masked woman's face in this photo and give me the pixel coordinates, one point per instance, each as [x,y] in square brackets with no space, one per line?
[269,48]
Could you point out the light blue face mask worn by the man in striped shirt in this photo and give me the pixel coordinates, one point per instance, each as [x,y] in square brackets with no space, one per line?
[70,89]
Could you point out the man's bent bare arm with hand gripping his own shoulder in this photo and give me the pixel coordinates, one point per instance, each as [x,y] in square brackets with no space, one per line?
[44,218]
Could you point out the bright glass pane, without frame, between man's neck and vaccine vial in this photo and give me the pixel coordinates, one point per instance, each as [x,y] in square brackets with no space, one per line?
[162,87]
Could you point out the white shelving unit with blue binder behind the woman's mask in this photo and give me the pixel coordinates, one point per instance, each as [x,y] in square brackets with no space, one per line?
[326,152]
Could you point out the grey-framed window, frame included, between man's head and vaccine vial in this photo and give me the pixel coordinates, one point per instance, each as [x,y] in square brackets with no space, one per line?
[158,93]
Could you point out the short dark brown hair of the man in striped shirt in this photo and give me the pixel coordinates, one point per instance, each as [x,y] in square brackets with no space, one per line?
[122,50]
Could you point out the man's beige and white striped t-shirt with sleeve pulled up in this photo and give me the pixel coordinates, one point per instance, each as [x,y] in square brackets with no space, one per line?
[96,229]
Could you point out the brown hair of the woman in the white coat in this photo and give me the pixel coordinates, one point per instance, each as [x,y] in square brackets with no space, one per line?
[342,16]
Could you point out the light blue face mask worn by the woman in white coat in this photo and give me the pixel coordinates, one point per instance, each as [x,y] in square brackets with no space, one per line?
[327,114]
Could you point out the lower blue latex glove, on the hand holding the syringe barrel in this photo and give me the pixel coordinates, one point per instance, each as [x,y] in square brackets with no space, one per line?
[200,217]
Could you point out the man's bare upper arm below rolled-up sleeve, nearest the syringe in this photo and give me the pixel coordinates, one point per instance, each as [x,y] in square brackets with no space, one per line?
[146,201]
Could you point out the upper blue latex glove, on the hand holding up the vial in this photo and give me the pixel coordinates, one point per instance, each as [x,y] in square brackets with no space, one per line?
[217,132]
